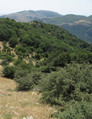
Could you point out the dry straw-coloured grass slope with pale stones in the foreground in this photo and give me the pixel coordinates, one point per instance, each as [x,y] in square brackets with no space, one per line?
[16,105]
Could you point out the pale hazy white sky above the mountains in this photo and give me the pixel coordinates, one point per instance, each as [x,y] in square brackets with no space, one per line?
[81,7]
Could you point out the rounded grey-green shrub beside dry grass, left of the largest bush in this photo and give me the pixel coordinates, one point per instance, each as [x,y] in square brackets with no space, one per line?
[27,82]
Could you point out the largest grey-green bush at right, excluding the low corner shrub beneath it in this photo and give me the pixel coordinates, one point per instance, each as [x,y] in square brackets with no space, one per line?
[67,83]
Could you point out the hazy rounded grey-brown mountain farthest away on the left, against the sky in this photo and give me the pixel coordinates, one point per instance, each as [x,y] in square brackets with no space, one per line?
[30,15]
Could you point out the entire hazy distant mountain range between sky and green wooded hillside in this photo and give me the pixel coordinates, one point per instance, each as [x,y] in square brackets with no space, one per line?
[78,25]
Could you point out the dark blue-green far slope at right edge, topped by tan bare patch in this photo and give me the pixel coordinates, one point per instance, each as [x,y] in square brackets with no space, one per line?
[82,30]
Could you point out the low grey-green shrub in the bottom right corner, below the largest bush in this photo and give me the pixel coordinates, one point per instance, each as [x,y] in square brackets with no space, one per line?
[75,110]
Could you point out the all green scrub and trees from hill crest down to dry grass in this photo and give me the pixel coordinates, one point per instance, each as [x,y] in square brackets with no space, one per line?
[51,61]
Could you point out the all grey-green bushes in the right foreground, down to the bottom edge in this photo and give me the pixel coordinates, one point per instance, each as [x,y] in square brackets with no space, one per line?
[71,89]
